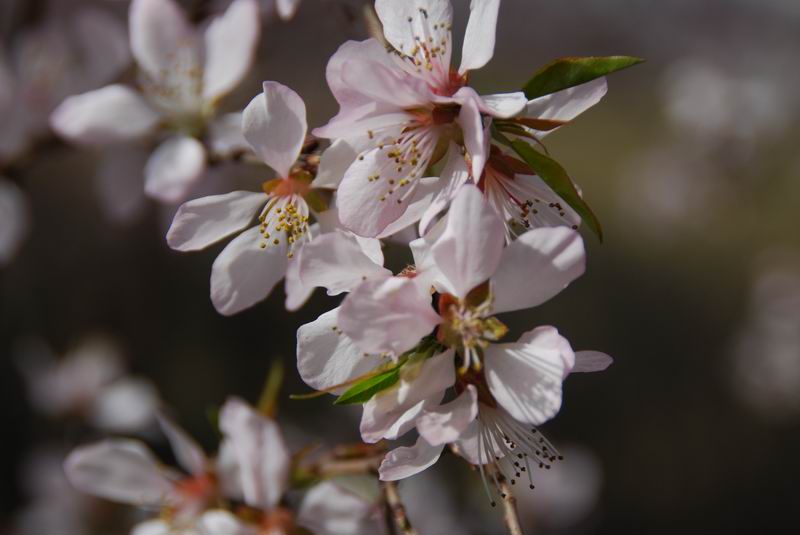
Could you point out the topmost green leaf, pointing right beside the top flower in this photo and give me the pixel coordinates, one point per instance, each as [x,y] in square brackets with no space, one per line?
[571,71]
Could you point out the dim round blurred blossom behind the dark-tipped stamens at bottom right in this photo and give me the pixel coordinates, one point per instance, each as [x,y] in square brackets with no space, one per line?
[565,495]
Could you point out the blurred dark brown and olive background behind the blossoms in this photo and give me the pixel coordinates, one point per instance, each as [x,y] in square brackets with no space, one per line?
[691,162]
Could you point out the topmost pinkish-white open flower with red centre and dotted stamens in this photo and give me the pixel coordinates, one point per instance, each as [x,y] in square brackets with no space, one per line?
[401,109]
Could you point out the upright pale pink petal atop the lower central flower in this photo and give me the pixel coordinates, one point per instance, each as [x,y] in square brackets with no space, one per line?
[468,252]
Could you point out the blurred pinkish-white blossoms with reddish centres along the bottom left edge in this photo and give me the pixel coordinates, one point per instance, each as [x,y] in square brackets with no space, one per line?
[253,468]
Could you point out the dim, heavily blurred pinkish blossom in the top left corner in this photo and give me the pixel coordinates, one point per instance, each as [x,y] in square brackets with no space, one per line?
[50,62]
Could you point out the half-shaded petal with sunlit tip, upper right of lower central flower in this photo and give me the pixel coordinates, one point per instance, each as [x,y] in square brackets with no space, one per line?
[536,267]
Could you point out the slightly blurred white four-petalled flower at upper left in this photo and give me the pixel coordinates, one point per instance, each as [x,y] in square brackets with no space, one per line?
[184,72]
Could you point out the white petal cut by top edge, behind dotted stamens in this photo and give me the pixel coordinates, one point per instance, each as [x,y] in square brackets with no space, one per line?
[404,21]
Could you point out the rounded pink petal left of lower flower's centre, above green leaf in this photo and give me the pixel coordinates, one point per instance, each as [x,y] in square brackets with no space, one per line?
[387,316]
